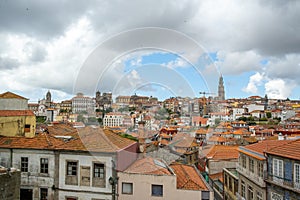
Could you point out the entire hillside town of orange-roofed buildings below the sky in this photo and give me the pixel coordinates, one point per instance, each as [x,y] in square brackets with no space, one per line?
[137,147]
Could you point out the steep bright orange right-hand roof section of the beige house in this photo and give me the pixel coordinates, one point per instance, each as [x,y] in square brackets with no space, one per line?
[188,177]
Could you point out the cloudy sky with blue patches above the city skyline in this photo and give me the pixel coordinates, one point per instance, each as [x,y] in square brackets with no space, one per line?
[174,48]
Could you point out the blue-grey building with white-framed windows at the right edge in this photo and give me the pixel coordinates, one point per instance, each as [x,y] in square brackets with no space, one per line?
[283,180]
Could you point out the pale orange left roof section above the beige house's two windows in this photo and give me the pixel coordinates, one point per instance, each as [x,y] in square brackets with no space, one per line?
[148,165]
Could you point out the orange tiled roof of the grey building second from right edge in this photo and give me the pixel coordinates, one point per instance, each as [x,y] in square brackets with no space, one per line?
[257,150]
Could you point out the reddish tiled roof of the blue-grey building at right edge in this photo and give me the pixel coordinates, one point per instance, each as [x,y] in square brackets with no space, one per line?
[289,150]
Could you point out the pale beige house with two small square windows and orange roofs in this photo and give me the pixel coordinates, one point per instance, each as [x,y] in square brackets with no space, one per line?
[148,178]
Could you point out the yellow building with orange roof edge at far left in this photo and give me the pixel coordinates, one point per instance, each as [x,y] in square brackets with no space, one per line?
[17,123]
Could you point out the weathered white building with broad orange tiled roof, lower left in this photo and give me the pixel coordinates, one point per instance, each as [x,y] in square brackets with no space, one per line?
[65,164]
